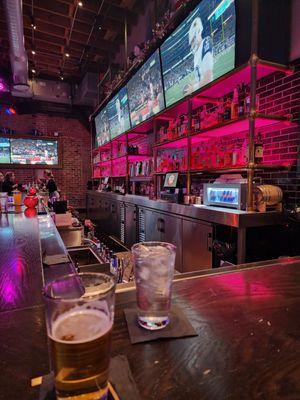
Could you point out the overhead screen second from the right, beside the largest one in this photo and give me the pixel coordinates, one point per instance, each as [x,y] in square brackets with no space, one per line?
[145,91]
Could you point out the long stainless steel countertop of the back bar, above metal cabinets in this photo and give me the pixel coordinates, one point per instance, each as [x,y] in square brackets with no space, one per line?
[215,215]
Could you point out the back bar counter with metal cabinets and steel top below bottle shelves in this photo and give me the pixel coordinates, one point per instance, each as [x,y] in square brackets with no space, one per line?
[193,229]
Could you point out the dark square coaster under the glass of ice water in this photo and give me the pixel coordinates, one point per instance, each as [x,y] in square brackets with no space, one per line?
[179,326]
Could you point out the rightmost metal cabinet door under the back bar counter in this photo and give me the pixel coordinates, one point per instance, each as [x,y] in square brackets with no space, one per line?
[196,246]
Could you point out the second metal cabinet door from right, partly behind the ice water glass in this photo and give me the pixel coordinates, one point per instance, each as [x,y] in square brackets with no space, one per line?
[171,232]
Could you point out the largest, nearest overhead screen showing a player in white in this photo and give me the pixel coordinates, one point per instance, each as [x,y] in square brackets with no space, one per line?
[201,49]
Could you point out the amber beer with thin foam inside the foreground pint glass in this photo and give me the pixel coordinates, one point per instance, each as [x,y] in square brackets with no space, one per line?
[80,350]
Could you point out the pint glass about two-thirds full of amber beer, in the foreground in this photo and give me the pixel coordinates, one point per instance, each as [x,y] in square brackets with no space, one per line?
[79,316]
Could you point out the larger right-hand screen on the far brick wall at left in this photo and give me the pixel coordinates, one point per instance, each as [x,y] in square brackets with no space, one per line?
[34,151]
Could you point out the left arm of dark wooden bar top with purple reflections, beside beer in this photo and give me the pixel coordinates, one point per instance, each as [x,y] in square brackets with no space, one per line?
[23,342]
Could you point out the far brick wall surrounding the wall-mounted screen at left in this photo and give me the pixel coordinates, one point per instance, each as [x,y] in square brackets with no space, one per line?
[76,144]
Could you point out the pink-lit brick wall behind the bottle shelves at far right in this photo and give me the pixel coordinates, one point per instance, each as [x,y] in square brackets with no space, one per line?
[280,95]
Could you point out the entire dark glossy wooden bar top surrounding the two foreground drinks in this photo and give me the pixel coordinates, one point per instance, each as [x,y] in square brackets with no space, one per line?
[247,320]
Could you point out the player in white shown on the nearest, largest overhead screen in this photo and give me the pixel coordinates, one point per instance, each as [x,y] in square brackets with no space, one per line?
[202,50]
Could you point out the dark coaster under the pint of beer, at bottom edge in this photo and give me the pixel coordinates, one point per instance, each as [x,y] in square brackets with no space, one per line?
[121,383]
